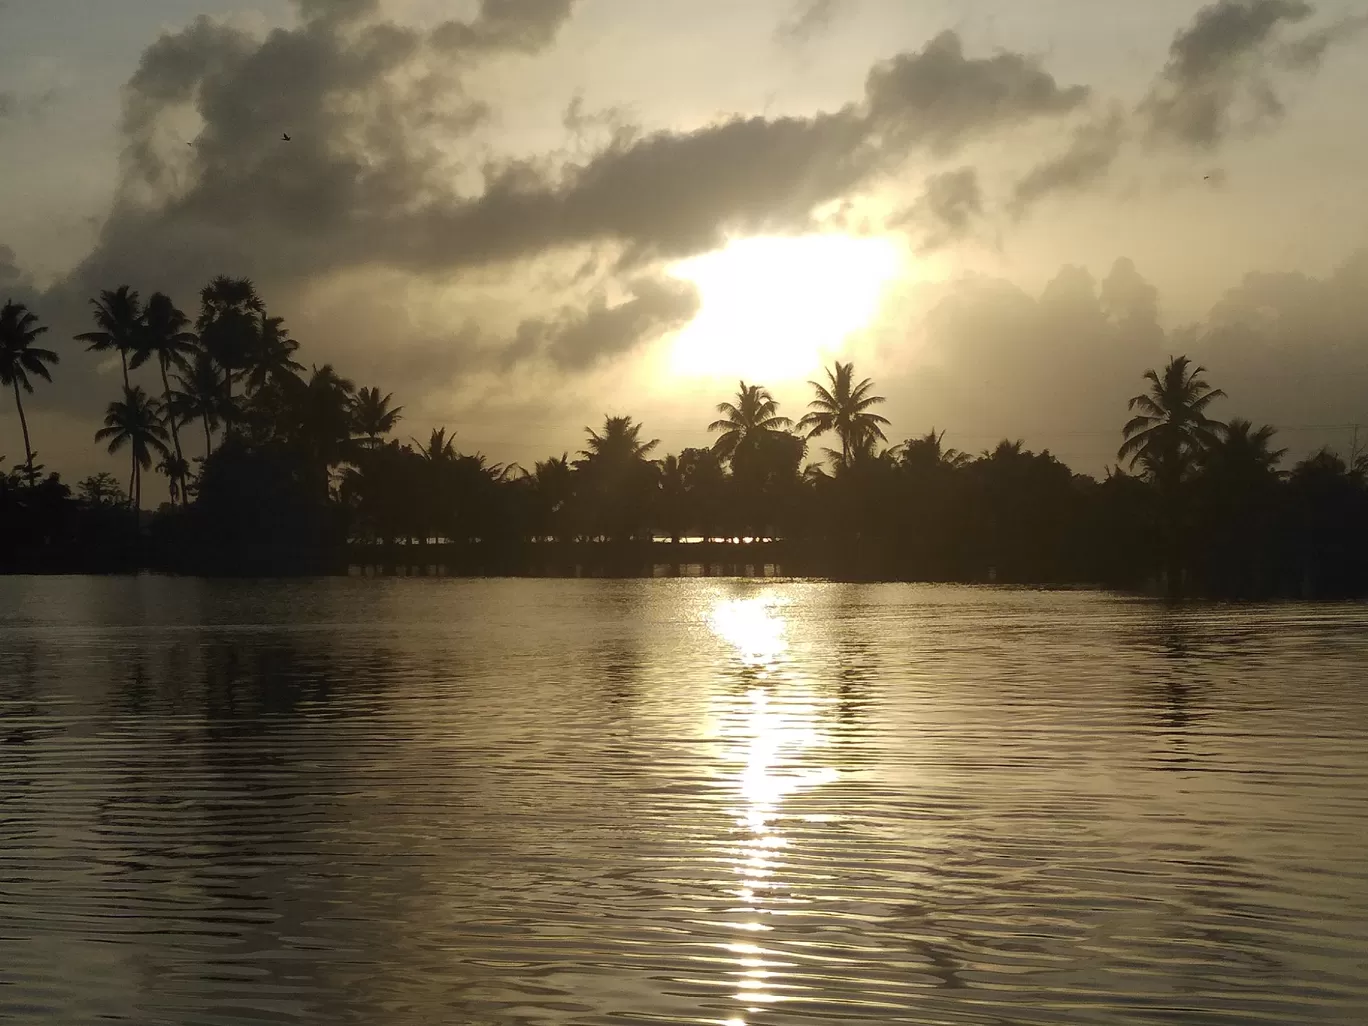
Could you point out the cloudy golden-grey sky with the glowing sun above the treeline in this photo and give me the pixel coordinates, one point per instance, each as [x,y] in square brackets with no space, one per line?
[522,215]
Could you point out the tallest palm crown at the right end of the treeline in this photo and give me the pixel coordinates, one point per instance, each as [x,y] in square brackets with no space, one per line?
[1172,429]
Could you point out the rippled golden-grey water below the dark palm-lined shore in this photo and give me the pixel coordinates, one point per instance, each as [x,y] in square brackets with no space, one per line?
[676,802]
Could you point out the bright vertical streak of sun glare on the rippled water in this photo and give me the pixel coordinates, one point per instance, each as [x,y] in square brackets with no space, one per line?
[772,739]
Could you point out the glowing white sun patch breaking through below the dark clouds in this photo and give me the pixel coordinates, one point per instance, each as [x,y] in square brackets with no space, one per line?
[776,308]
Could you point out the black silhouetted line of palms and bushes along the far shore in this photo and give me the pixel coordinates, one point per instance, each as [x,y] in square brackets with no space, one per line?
[278,470]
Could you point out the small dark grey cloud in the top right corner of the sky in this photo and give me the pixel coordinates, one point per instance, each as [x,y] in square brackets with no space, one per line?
[1221,72]
